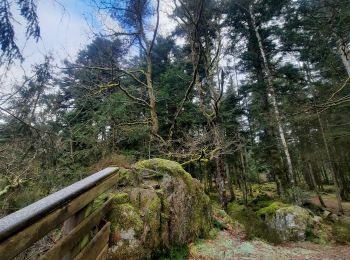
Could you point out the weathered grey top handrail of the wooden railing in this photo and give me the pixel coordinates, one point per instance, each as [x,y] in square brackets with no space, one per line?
[20,219]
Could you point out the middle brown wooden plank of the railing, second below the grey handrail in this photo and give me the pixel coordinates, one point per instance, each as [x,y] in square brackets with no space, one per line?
[67,243]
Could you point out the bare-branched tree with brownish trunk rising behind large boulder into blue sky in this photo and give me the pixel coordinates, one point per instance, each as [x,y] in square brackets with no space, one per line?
[134,16]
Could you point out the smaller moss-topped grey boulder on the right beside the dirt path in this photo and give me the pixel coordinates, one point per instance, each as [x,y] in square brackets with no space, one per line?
[289,221]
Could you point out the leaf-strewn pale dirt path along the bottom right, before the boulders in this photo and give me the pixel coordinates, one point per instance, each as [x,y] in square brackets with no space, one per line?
[232,245]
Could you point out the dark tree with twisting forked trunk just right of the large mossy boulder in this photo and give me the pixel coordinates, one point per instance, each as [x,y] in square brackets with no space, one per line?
[203,29]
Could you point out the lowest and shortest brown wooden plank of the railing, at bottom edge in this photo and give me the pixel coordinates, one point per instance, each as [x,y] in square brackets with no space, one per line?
[96,245]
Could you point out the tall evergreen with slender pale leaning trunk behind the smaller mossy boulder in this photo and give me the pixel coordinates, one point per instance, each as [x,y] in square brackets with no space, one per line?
[258,60]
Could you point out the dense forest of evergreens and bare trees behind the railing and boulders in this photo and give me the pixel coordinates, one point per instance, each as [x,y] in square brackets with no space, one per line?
[251,97]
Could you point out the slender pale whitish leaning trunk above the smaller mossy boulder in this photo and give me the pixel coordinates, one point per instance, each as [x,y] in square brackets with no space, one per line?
[274,101]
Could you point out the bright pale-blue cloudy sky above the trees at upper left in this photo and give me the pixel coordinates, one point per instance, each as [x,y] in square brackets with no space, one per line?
[67,26]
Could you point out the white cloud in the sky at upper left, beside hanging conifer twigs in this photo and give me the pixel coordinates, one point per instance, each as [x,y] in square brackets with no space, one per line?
[63,32]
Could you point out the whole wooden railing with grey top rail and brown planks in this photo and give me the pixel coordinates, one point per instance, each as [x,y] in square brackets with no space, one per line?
[21,229]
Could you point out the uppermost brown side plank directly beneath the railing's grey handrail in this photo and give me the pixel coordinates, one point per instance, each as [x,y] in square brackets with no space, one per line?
[26,237]
